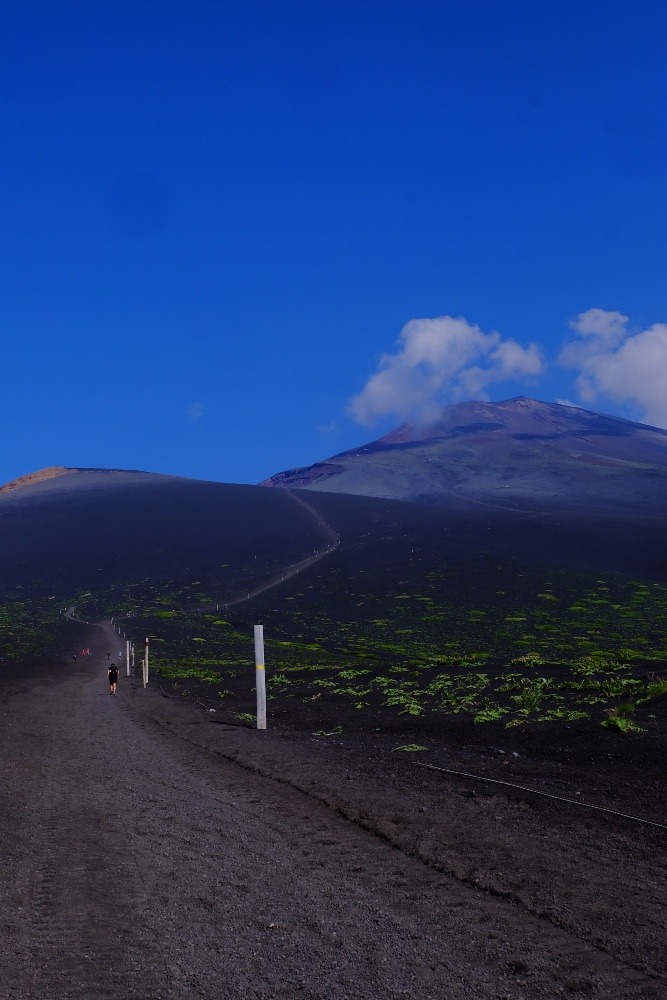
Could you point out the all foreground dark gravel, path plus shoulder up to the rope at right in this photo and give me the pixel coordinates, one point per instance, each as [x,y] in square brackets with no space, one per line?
[150,852]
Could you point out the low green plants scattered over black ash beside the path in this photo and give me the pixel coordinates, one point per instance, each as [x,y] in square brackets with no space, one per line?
[475,639]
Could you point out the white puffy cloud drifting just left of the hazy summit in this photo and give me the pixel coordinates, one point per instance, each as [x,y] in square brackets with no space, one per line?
[439,360]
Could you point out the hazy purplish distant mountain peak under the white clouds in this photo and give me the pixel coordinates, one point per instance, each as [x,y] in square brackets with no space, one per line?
[517,452]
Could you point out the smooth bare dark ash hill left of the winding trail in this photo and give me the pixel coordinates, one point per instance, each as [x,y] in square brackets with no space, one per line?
[90,529]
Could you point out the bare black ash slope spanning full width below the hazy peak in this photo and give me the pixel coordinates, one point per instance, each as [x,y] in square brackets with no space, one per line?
[100,529]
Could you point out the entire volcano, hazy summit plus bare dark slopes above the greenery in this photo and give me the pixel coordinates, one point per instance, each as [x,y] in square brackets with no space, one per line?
[514,481]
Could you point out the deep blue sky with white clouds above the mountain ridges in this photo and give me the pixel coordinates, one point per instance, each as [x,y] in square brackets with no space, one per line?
[239,237]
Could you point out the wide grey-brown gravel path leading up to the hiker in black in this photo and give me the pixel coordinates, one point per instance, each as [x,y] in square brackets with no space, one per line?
[148,852]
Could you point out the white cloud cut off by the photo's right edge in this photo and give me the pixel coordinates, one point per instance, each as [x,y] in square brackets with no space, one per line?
[624,367]
